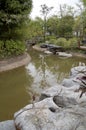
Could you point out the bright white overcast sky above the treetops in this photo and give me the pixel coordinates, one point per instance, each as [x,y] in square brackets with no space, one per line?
[50,3]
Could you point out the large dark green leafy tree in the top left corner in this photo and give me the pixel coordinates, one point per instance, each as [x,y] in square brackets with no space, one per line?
[12,14]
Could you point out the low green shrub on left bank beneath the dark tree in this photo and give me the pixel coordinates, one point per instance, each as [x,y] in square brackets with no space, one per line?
[11,48]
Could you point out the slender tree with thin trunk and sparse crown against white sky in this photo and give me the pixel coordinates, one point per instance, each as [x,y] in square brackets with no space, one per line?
[45,10]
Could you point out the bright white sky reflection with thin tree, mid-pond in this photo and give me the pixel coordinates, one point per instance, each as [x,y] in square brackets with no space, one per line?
[42,76]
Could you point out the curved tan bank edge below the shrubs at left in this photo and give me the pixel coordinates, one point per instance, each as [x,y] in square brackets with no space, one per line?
[14,62]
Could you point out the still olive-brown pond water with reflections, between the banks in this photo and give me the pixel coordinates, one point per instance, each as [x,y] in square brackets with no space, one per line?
[44,71]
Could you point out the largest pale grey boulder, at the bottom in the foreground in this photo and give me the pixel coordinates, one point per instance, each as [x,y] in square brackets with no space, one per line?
[48,116]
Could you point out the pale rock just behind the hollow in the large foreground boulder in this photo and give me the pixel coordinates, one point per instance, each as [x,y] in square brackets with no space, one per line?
[61,91]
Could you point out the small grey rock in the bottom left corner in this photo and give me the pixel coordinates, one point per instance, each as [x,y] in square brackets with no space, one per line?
[7,125]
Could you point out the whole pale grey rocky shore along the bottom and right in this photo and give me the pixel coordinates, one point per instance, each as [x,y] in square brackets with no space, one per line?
[61,107]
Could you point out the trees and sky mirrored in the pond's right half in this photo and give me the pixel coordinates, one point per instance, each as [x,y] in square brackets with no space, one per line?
[46,71]
